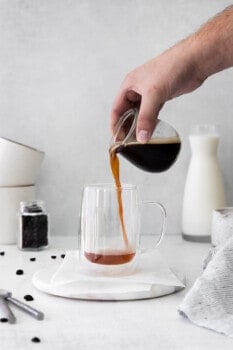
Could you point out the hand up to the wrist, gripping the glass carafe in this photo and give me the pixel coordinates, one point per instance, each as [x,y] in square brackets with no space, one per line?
[149,86]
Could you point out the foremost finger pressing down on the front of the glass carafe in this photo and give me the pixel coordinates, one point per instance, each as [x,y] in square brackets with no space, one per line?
[151,104]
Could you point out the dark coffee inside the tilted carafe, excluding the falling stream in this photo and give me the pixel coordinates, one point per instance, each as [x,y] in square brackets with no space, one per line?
[157,155]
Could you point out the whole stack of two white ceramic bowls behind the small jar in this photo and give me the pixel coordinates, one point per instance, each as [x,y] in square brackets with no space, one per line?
[19,167]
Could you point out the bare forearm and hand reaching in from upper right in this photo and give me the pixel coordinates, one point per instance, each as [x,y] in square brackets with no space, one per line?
[179,70]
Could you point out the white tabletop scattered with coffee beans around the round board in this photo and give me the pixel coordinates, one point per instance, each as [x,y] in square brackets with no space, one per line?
[77,324]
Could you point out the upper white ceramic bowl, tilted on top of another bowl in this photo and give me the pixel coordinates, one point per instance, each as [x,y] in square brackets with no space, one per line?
[19,164]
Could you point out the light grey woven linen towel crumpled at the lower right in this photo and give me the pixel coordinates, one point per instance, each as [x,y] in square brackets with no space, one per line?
[209,303]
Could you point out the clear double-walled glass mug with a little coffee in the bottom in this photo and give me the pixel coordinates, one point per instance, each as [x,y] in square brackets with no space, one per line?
[104,247]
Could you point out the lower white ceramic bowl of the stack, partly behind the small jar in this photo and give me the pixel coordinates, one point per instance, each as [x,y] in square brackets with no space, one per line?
[10,198]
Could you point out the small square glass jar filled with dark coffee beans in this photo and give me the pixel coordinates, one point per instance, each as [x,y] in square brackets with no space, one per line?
[33,226]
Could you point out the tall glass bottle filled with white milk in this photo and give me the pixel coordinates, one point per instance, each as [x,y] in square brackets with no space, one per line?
[204,190]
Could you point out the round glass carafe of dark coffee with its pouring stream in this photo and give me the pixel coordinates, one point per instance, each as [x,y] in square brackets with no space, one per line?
[157,155]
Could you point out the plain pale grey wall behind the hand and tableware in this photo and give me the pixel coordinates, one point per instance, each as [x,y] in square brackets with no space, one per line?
[61,64]
